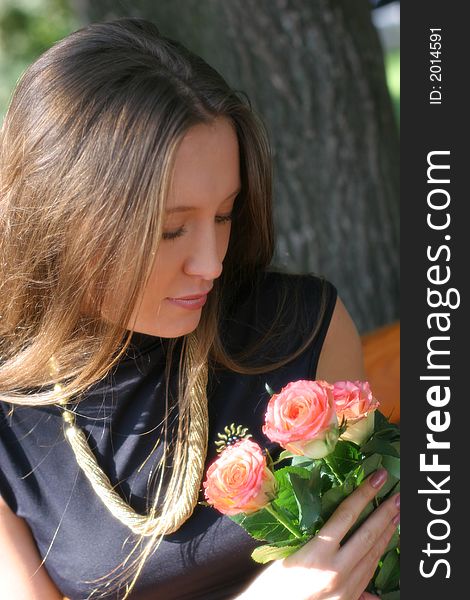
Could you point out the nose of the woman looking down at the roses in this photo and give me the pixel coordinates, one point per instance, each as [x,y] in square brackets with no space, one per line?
[206,256]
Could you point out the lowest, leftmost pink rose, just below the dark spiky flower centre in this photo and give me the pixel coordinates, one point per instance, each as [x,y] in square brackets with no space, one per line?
[239,480]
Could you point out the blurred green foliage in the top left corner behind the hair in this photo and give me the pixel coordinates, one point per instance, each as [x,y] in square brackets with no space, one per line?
[27,28]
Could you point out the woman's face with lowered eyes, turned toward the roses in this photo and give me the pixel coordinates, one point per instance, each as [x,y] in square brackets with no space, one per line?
[206,179]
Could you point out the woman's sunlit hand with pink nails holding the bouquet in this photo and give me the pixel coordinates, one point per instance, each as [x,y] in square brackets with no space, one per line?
[324,570]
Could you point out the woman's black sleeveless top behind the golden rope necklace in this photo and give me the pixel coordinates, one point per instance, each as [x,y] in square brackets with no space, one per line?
[208,558]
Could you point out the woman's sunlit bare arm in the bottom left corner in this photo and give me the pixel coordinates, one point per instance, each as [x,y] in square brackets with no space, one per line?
[20,559]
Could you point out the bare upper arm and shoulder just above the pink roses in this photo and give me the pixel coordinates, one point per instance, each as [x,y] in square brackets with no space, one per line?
[341,355]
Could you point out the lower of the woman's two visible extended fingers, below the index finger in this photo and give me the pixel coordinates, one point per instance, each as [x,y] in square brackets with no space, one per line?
[369,532]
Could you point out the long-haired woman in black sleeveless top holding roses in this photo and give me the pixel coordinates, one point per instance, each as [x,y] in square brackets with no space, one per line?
[134,178]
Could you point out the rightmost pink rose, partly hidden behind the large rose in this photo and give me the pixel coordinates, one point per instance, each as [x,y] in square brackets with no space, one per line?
[354,401]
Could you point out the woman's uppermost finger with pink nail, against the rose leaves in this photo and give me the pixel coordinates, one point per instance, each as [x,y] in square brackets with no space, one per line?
[349,510]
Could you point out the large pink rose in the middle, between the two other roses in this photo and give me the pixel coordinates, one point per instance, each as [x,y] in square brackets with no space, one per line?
[302,418]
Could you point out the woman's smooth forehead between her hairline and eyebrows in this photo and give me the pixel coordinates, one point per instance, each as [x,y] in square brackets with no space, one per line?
[206,167]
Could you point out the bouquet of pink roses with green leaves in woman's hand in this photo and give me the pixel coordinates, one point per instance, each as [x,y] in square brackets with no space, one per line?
[333,437]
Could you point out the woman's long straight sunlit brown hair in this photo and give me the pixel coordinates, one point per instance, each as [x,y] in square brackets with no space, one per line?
[87,151]
